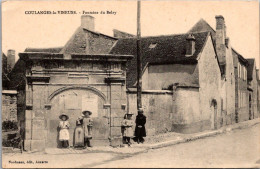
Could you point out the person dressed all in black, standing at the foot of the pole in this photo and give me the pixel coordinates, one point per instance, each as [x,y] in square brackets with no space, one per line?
[140,126]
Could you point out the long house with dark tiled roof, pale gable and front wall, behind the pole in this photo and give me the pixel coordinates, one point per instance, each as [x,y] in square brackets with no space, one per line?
[181,80]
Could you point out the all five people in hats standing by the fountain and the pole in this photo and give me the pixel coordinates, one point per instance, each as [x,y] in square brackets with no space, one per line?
[84,124]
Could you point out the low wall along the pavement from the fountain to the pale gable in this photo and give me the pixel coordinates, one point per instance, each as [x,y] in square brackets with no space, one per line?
[166,111]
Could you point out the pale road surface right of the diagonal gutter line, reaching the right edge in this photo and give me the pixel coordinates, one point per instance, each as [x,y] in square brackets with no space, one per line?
[238,148]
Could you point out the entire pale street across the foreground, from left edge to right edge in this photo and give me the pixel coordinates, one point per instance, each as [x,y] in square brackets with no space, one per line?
[237,148]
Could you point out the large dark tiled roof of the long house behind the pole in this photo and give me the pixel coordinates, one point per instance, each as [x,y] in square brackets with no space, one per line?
[158,50]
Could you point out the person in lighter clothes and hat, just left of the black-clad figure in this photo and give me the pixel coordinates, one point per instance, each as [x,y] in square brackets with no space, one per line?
[127,127]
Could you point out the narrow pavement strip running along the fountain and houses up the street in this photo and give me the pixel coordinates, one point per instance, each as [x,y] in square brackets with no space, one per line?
[152,142]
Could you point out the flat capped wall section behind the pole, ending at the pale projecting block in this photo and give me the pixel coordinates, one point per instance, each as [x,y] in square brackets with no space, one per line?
[158,108]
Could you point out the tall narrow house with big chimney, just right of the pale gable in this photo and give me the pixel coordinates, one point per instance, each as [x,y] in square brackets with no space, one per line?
[233,87]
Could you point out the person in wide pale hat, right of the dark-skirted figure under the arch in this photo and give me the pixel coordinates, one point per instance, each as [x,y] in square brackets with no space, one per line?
[87,124]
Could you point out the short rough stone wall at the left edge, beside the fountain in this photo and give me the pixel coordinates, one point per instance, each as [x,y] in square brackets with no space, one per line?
[9,105]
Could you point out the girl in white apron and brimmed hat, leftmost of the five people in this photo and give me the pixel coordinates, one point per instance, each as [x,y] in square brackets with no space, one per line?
[64,135]
